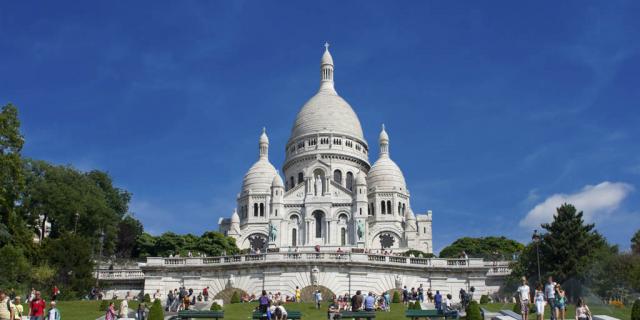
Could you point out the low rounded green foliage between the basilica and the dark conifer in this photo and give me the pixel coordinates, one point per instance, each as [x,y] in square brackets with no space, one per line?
[490,248]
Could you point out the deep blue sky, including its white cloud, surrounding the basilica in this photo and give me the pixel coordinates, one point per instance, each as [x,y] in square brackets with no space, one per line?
[496,111]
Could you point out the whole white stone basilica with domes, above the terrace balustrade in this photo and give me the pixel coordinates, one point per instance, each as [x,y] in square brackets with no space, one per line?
[329,195]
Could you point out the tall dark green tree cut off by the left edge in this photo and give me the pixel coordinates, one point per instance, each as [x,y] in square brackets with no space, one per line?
[11,175]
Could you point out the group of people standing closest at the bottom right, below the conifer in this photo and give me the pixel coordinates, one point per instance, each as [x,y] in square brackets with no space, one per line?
[550,295]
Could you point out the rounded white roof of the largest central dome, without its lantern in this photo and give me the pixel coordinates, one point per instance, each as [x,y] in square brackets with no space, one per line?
[327,112]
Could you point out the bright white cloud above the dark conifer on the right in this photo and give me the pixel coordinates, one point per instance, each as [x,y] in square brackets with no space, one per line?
[594,201]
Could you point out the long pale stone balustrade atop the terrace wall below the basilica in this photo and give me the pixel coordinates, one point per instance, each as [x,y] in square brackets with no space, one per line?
[373,259]
